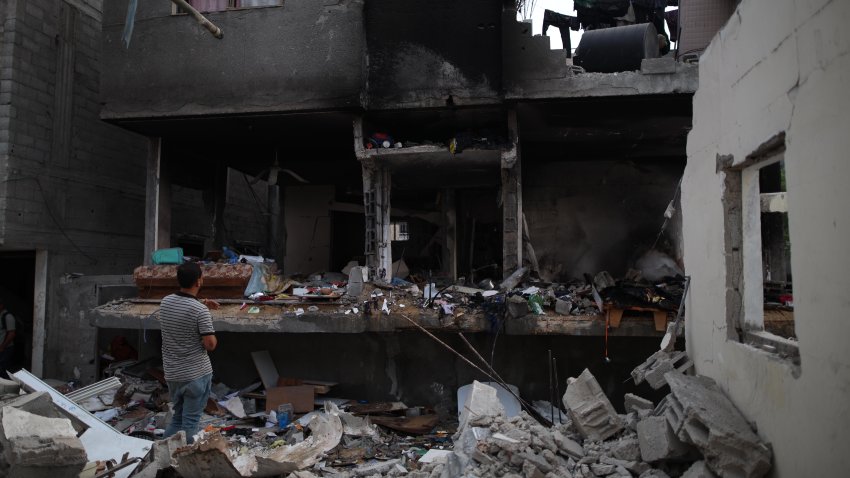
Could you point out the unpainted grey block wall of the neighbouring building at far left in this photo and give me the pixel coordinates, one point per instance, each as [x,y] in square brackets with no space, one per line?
[70,185]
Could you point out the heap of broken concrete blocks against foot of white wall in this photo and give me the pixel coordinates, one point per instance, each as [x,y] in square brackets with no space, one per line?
[694,432]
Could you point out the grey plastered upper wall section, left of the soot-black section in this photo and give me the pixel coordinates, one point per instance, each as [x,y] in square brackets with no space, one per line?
[300,55]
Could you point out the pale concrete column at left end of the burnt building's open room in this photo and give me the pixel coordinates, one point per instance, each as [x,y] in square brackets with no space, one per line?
[158,202]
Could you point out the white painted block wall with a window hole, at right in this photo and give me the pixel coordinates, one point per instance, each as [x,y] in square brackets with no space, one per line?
[779,65]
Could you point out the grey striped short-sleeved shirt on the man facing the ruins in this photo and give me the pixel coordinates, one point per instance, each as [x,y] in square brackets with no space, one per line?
[184,321]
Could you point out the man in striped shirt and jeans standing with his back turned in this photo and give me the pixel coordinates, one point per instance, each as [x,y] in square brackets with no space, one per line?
[187,336]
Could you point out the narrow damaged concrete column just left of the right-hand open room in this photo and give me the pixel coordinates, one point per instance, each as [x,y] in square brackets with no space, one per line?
[512,202]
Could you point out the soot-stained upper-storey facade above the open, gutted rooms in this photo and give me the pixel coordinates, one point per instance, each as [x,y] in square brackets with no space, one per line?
[277,56]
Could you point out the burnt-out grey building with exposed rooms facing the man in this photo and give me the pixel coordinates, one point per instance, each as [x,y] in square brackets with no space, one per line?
[495,135]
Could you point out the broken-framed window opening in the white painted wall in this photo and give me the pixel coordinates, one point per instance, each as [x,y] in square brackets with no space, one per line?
[759,298]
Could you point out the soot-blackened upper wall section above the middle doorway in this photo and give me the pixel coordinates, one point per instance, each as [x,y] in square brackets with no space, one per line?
[437,53]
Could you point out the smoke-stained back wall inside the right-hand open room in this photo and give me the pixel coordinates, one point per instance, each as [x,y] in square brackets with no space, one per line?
[608,212]
